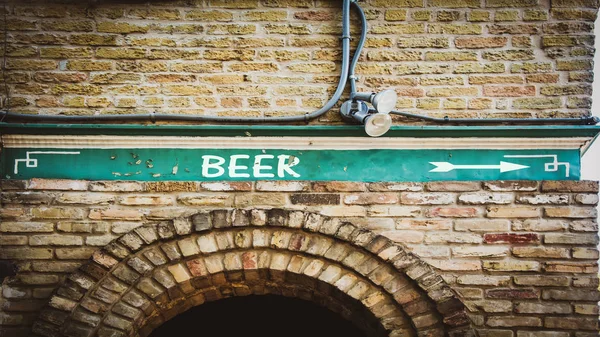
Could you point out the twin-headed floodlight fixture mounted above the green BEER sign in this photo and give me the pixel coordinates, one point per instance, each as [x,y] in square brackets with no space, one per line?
[376,124]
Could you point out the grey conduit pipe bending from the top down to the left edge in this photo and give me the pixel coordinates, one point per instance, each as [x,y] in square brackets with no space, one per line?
[153,117]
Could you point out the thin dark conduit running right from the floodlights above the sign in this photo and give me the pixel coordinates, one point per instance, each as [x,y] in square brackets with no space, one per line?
[591,120]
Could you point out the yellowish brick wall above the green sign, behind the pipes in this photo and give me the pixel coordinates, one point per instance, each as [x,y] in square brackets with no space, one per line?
[462,58]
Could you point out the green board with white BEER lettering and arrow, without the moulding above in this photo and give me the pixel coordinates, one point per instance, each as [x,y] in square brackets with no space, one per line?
[231,164]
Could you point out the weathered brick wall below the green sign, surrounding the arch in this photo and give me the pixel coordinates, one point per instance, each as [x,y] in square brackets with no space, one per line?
[521,255]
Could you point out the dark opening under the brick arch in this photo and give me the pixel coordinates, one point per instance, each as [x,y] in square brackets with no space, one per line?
[265,316]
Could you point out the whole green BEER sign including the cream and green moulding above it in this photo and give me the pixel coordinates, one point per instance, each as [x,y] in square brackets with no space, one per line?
[317,154]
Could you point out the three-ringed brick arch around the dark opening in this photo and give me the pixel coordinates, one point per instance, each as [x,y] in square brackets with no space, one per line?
[151,274]
